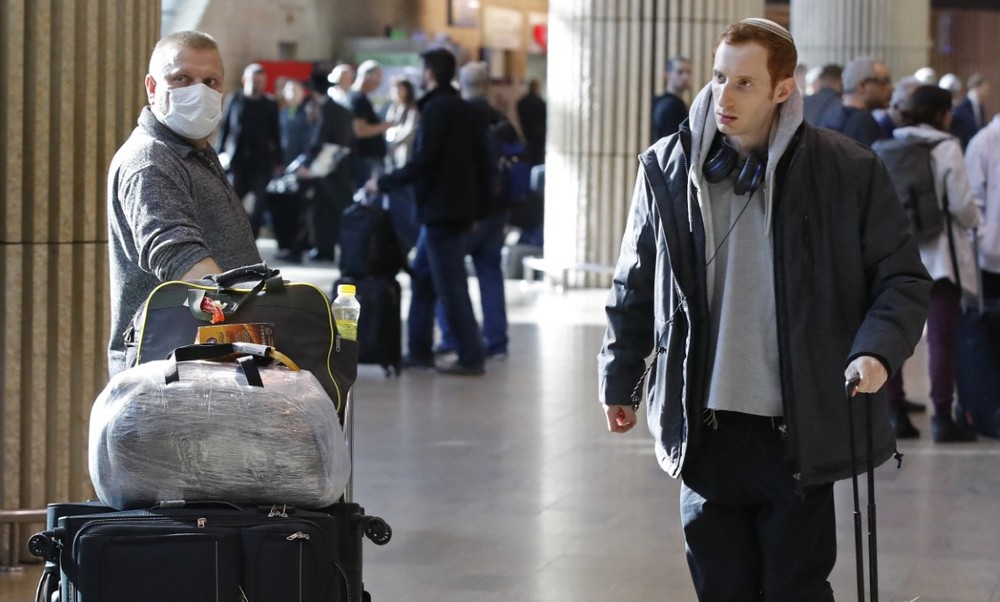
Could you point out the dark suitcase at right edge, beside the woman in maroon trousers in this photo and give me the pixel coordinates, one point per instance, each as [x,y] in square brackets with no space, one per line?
[977,365]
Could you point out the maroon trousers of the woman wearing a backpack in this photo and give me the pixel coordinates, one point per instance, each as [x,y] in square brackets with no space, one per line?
[942,326]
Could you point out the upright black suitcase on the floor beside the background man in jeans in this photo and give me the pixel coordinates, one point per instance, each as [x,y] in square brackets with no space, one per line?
[380,327]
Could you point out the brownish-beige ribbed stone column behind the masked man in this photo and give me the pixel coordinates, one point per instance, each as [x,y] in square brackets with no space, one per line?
[71,76]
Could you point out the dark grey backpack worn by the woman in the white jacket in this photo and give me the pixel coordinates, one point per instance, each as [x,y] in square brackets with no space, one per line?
[909,163]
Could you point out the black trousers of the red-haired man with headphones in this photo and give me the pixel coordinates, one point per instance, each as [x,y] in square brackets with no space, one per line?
[752,532]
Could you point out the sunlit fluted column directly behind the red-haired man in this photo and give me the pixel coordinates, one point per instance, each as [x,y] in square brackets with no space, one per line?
[605,65]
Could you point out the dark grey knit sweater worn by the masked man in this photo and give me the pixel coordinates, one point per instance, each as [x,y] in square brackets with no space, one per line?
[169,207]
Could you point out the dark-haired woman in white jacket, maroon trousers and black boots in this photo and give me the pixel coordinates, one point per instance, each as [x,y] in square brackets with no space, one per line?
[948,257]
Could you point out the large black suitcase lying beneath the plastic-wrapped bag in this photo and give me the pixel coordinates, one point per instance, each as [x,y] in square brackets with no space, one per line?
[205,552]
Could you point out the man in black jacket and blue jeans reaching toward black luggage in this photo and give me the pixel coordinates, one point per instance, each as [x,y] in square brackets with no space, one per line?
[450,172]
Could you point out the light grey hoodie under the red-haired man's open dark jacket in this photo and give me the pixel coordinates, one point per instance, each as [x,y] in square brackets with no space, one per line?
[743,340]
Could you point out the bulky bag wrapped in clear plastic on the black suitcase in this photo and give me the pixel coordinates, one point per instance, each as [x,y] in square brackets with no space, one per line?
[211,436]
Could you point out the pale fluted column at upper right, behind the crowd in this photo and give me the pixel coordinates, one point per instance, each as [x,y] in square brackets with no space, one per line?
[895,31]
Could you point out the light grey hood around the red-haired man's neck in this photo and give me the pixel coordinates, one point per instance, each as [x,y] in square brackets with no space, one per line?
[703,129]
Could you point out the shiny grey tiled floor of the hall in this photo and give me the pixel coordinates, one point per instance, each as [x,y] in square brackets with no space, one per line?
[508,487]
